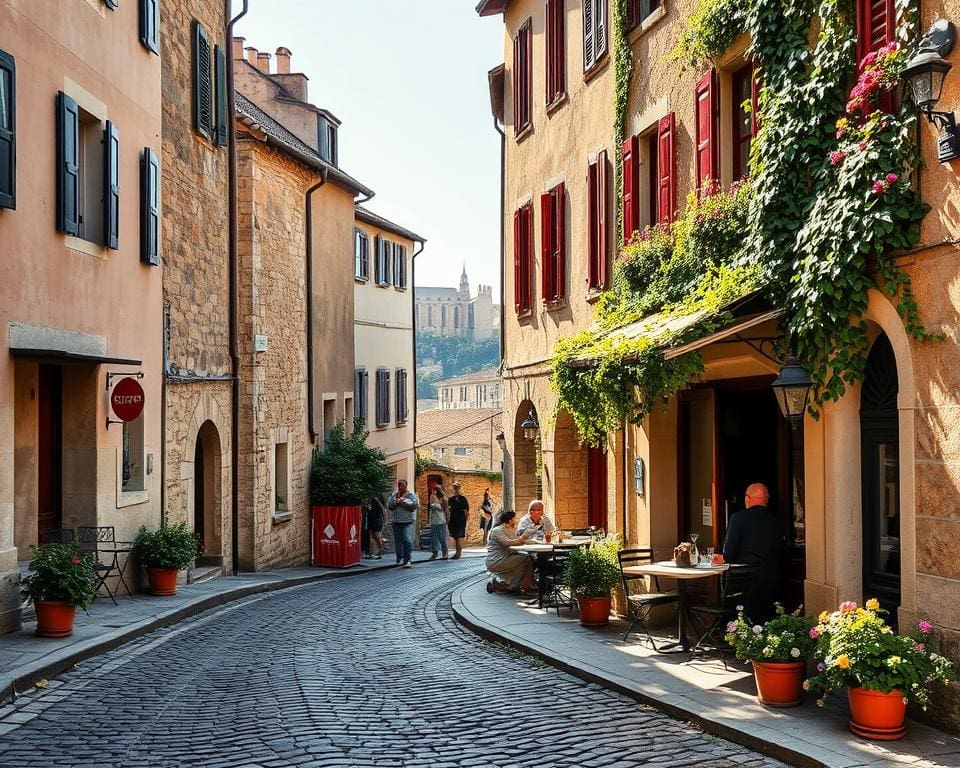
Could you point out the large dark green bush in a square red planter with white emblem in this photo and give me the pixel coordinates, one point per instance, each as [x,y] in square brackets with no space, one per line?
[343,477]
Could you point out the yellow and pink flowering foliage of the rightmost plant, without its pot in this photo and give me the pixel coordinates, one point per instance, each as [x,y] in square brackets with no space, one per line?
[857,648]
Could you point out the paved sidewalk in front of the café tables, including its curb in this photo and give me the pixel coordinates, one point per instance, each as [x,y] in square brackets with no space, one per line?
[719,701]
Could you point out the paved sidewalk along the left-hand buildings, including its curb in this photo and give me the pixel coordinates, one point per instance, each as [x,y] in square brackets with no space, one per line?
[25,658]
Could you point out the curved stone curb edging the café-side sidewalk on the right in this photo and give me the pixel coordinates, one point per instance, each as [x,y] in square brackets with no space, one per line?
[577,668]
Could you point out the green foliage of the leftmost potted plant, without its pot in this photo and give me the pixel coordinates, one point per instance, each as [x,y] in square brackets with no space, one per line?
[59,572]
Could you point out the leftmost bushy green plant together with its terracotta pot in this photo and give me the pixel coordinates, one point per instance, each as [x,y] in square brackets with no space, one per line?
[59,580]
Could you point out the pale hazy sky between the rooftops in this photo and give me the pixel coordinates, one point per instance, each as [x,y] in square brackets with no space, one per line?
[409,81]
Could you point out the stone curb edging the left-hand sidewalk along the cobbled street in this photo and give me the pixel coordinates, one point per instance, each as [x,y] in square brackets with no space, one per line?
[25,677]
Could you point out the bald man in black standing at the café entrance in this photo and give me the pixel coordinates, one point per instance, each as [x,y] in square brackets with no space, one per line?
[755,537]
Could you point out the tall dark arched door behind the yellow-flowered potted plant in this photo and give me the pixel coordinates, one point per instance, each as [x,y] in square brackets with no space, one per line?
[880,477]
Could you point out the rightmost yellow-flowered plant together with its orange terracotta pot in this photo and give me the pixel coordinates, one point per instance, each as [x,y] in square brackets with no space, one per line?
[882,670]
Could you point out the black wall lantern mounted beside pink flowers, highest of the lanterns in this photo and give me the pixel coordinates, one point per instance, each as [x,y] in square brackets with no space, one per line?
[924,74]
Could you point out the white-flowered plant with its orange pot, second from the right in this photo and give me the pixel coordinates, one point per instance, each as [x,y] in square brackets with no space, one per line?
[778,650]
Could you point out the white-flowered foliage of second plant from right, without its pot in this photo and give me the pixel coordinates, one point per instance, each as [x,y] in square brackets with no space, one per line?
[786,637]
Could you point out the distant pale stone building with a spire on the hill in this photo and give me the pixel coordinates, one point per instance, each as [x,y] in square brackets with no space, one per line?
[452,312]
